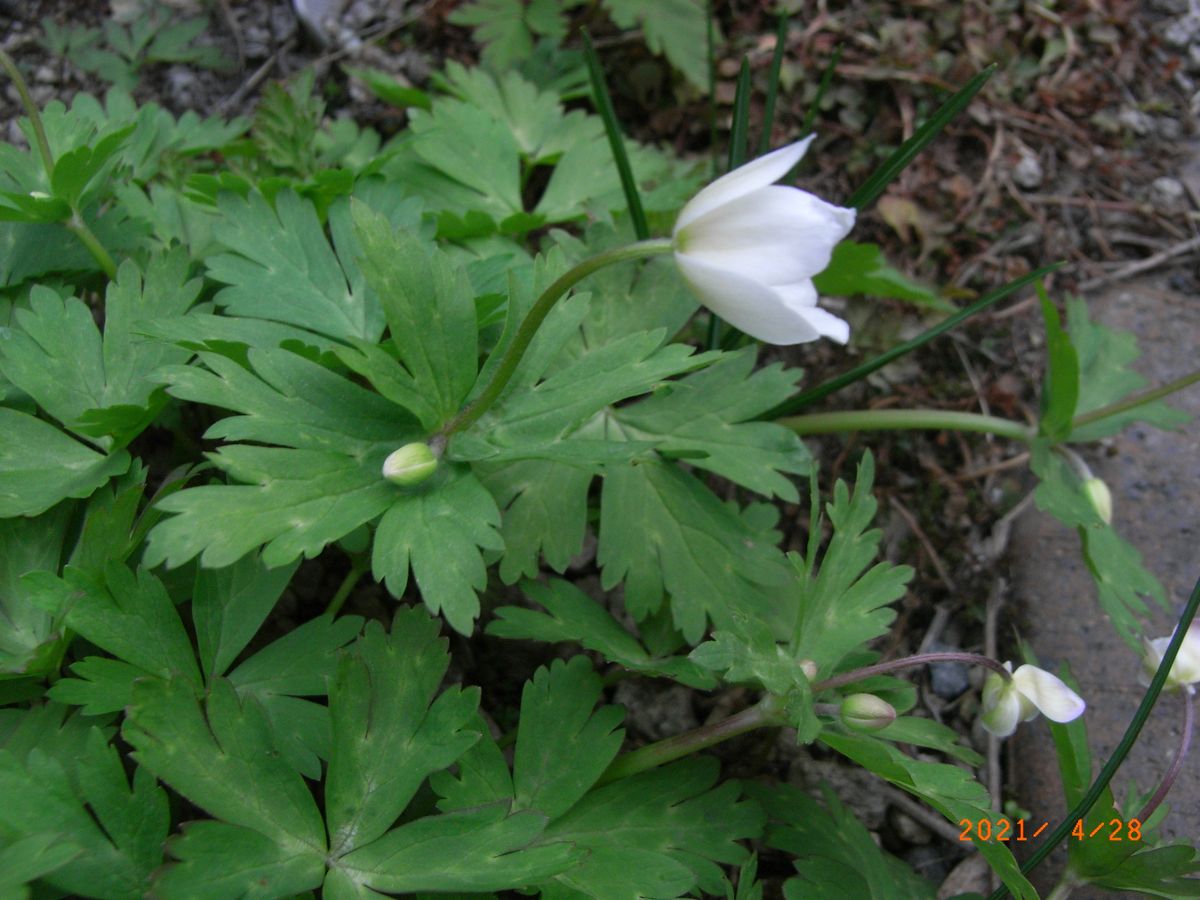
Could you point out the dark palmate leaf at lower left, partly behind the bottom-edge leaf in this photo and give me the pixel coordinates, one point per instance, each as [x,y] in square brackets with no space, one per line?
[133,619]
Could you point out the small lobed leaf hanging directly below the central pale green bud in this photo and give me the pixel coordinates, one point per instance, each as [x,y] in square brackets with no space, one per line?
[440,533]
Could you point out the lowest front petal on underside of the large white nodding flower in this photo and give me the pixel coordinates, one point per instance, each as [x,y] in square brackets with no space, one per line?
[746,304]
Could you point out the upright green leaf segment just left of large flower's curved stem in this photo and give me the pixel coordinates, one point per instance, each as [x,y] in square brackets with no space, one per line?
[430,309]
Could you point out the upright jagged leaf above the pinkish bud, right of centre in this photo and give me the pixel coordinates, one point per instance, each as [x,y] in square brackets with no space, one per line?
[843,604]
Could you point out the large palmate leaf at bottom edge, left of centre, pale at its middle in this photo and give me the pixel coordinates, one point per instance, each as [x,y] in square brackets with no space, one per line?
[268,838]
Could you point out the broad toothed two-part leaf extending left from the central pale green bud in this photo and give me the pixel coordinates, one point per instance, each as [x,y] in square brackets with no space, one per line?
[298,500]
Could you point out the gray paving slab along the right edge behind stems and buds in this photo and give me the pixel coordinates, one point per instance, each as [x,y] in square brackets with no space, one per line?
[1155,478]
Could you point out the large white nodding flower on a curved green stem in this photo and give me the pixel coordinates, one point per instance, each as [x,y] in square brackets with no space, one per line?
[749,249]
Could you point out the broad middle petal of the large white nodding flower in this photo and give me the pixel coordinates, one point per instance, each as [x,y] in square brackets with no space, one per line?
[776,235]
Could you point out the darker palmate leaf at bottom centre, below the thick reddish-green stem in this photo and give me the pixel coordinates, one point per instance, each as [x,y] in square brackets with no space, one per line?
[655,836]
